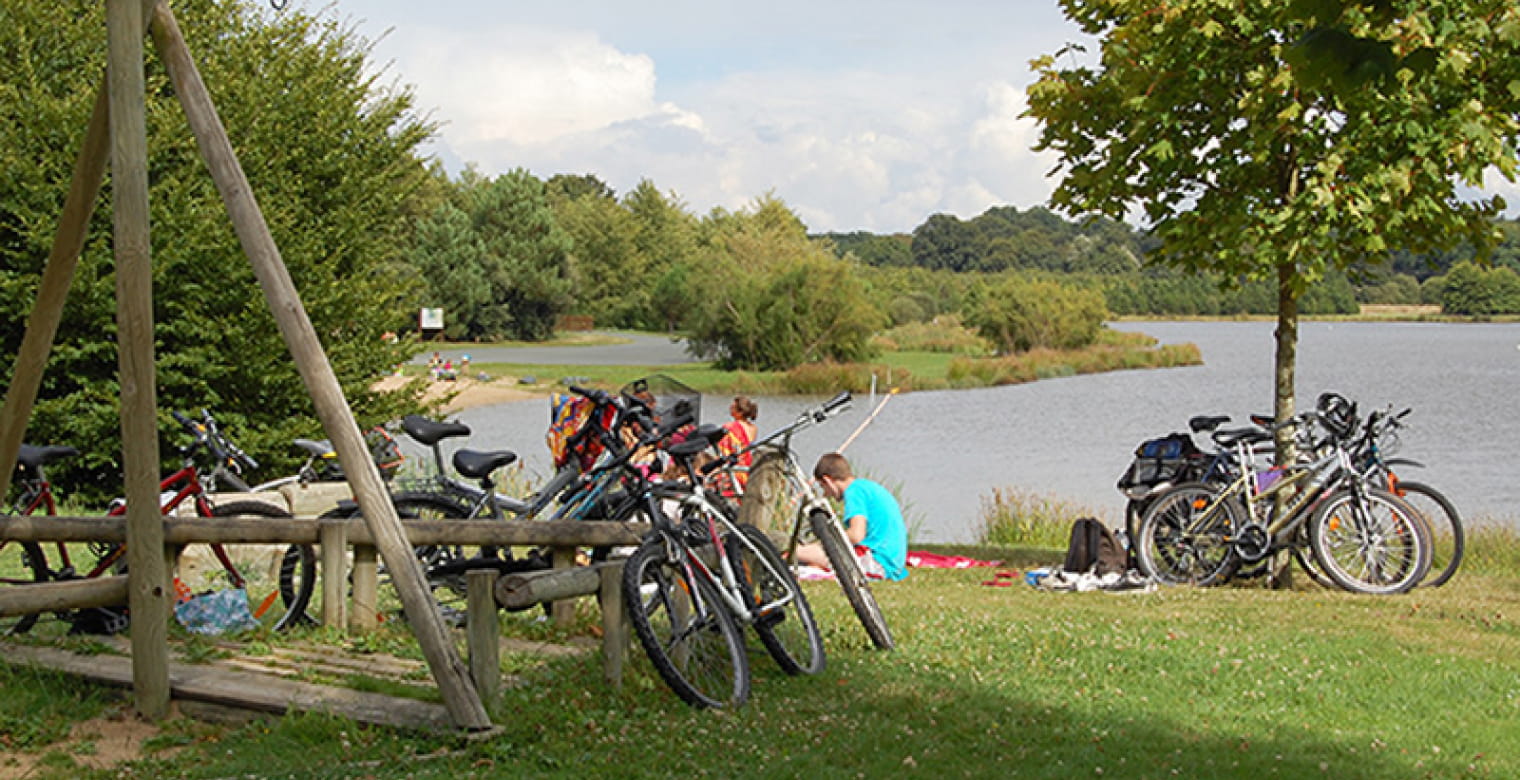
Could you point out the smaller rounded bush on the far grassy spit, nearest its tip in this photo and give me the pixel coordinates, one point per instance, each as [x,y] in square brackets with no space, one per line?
[1018,315]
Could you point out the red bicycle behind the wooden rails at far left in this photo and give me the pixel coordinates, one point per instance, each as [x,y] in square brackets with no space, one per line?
[277,586]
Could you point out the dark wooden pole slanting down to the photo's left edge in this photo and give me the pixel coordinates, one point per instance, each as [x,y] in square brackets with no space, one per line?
[42,326]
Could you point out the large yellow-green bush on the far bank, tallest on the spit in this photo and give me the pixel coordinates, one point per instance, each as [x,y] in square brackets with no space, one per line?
[770,299]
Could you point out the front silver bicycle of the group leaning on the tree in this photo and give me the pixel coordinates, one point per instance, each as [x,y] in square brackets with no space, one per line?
[1364,539]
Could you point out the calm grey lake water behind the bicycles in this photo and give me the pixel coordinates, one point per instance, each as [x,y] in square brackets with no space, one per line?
[1071,439]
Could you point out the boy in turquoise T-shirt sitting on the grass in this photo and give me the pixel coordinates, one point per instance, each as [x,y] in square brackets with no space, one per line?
[873,522]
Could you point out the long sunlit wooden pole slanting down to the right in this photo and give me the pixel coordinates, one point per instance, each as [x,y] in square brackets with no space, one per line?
[454,679]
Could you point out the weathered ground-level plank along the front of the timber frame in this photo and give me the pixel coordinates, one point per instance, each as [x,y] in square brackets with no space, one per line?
[247,691]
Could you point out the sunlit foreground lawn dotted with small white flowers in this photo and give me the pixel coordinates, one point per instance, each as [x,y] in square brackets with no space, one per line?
[986,682]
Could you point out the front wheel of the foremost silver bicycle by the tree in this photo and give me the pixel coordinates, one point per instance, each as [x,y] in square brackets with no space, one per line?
[1379,545]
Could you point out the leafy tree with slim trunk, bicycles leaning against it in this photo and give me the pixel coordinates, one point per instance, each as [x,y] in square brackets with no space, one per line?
[1281,141]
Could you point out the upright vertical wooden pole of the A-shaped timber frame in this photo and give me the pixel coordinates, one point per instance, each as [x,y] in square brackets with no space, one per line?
[148,594]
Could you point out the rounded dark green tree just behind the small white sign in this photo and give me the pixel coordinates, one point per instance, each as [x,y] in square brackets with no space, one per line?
[495,259]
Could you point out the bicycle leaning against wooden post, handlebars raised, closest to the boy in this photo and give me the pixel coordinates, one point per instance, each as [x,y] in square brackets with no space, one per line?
[781,496]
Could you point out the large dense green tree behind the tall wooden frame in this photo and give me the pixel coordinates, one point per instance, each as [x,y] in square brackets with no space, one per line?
[331,156]
